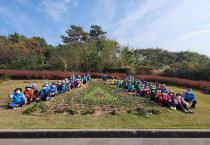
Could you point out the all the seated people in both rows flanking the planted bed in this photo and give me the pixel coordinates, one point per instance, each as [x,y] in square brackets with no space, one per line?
[157,93]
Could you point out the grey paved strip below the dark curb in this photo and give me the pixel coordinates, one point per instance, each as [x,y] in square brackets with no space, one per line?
[107,141]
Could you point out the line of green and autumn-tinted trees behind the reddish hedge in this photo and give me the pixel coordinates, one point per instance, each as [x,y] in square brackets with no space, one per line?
[93,51]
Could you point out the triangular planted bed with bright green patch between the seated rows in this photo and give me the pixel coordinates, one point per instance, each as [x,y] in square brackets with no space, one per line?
[98,98]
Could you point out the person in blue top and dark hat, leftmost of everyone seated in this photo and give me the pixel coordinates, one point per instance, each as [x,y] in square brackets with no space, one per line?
[19,99]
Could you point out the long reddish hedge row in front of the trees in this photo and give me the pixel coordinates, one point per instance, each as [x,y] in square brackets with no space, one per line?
[22,74]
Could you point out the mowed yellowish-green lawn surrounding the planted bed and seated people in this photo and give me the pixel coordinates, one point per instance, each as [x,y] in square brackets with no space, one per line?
[13,119]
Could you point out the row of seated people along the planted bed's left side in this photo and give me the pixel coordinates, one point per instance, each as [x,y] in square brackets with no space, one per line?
[31,93]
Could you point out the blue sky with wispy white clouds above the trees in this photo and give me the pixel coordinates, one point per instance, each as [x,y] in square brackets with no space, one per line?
[173,25]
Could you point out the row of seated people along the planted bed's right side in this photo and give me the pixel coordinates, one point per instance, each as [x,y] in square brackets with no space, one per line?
[157,93]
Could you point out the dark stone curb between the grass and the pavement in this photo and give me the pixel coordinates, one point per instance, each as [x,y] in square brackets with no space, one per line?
[104,133]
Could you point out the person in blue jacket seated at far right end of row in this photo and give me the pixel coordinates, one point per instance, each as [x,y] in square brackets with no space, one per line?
[189,96]
